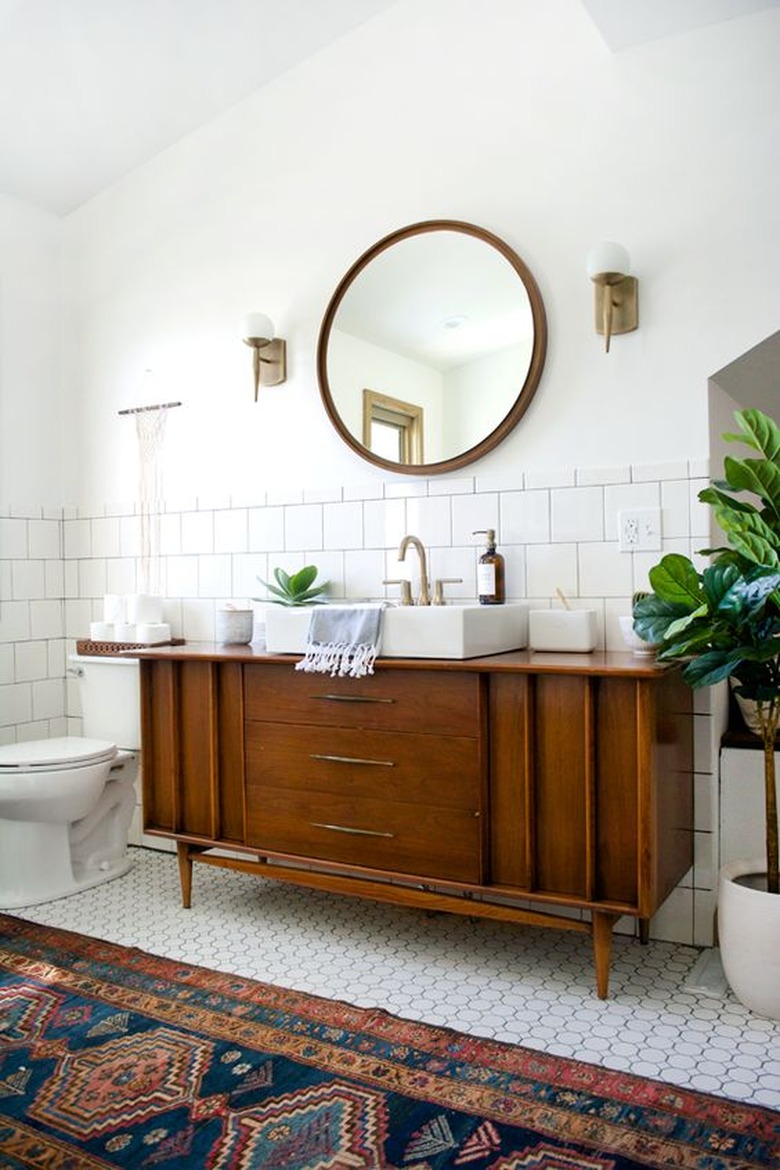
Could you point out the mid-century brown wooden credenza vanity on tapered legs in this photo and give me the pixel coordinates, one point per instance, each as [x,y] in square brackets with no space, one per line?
[544,789]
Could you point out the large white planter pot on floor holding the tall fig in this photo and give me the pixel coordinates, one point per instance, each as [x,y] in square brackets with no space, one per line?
[749,931]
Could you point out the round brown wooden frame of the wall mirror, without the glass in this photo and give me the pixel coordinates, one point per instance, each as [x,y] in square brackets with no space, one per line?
[533,377]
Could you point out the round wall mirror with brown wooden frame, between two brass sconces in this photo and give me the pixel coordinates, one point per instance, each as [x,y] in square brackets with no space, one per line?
[432,348]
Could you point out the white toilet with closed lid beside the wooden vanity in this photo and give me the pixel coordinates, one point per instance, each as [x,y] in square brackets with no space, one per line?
[66,804]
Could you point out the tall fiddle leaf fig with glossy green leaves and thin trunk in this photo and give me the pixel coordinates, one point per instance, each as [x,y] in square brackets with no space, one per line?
[724,622]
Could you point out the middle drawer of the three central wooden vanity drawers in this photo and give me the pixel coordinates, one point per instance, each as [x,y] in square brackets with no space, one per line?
[436,770]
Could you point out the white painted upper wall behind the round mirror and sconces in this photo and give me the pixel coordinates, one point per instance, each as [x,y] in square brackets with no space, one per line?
[513,116]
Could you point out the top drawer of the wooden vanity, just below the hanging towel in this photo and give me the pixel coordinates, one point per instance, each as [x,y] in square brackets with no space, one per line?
[437,701]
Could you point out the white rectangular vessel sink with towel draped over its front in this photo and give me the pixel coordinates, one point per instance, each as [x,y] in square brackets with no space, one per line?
[434,631]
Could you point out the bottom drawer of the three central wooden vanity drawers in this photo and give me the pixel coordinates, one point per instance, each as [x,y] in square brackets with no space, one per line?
[365,831]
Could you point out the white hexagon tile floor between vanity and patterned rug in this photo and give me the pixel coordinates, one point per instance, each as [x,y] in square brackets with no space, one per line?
[523,986]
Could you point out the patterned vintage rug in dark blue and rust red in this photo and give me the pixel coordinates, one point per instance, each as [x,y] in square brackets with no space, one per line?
[115,1058]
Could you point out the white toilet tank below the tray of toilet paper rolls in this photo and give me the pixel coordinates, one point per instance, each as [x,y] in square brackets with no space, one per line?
[111,699]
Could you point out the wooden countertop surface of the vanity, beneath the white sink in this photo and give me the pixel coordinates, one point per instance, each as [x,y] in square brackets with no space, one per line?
[513,662]
